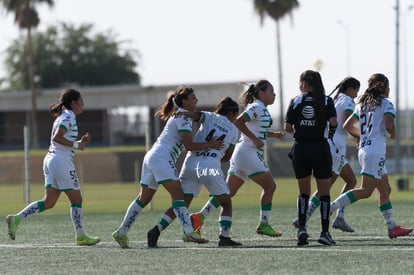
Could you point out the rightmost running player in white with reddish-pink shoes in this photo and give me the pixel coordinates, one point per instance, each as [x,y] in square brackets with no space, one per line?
[375,114]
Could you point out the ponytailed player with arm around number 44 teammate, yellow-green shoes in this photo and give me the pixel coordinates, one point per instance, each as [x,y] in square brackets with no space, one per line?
[159,168]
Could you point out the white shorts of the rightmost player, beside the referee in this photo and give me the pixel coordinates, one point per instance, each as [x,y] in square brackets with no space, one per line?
[372,164]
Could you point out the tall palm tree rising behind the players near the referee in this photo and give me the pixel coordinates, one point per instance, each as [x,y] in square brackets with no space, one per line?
[276,9]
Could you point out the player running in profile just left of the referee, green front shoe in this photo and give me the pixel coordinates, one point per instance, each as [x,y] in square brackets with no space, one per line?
[248,160]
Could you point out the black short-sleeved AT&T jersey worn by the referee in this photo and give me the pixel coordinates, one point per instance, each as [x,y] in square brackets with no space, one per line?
[302,114]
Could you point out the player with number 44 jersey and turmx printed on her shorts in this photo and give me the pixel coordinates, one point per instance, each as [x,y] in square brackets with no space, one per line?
[203,167]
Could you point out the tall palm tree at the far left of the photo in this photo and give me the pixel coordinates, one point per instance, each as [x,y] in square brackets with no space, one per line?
[26,17]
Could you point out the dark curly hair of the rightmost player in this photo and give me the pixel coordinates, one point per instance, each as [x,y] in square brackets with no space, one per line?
[378,86]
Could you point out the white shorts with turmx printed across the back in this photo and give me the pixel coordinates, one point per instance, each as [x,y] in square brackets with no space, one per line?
[195,173]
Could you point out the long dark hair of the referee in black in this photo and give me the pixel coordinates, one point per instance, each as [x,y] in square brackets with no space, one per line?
[314,79]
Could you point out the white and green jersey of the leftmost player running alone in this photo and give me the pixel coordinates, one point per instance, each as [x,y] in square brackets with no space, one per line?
[67,121]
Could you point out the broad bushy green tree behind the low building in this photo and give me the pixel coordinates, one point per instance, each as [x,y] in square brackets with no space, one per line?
[66,55]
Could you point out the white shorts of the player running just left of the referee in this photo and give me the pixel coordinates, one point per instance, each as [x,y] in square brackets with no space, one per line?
[247,162]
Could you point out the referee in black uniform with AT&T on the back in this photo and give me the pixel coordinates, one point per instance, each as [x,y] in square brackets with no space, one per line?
[311,118]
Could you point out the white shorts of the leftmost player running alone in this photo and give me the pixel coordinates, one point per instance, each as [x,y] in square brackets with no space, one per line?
[60,172]
